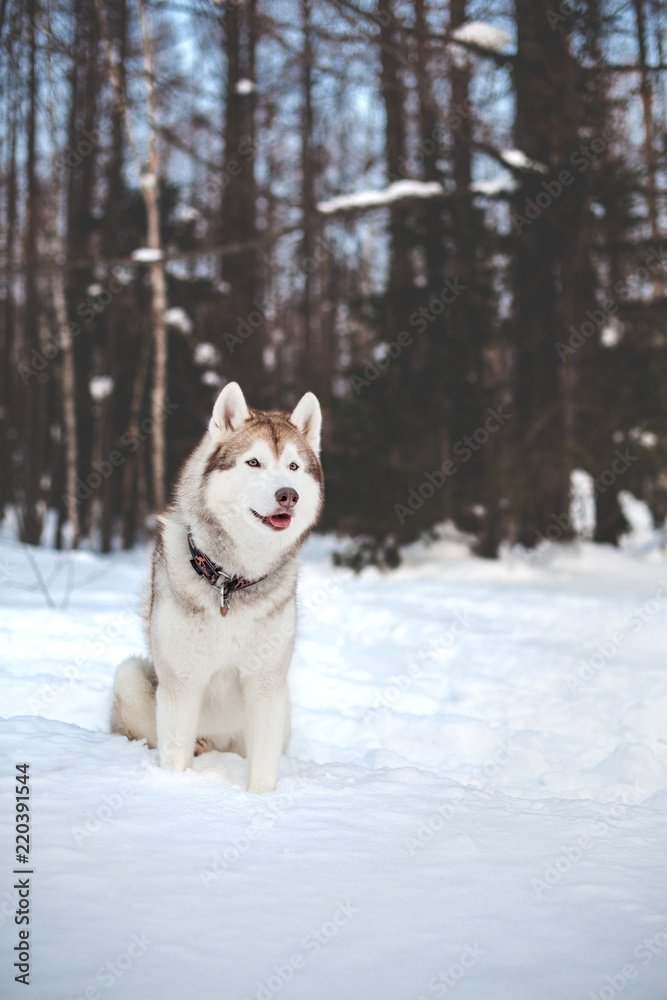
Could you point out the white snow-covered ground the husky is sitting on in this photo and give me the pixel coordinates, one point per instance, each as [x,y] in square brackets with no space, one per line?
[474,803]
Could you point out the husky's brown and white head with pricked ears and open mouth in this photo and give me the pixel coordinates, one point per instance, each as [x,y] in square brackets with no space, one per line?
[262,475]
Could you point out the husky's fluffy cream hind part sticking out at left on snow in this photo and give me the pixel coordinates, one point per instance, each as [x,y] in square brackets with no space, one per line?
[134,713]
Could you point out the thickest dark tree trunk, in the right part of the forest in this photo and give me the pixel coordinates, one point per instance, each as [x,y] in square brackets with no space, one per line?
[551,246]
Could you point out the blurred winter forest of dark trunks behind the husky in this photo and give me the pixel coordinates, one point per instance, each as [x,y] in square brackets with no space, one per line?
[444,218]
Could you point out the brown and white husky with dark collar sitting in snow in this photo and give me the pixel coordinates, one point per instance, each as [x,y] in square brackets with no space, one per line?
[220,607]
